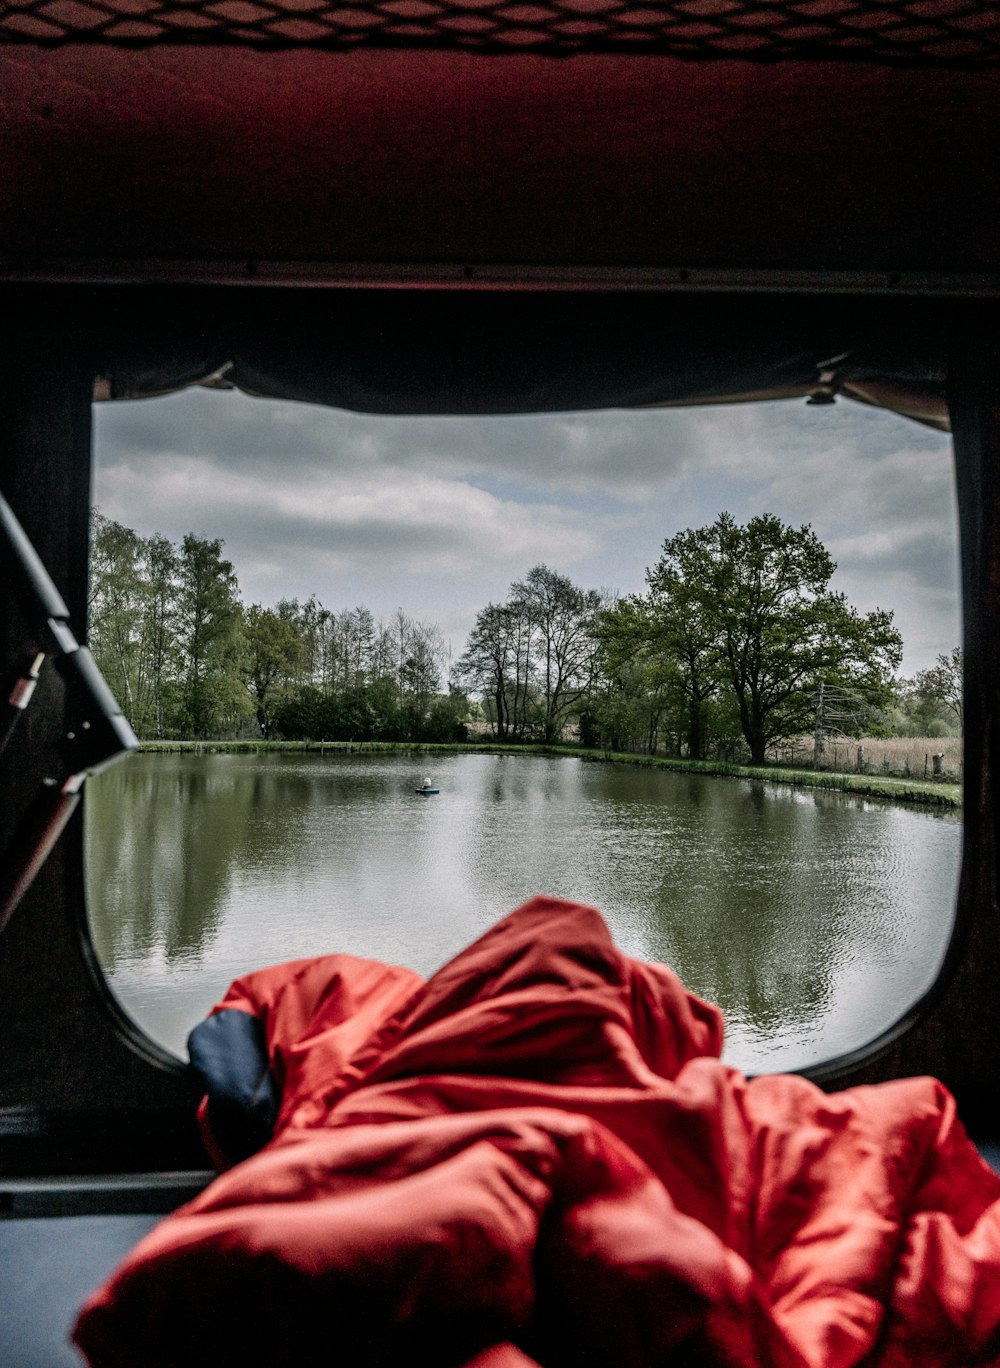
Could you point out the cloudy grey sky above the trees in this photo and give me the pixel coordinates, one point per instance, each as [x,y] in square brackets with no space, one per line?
[438,515]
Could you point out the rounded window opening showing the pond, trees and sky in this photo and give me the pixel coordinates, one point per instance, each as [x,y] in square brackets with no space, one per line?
[293,603]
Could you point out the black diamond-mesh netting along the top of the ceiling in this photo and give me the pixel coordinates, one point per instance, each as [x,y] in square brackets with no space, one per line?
[897,32]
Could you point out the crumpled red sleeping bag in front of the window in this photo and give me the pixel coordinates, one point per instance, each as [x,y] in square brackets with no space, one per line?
[537,1158]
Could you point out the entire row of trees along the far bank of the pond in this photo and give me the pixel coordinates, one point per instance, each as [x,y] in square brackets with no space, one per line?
[731,649]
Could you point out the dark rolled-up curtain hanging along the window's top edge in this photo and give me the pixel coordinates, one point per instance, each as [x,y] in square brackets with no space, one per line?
[458,352]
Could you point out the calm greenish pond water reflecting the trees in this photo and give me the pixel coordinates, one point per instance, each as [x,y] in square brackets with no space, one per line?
[813,919]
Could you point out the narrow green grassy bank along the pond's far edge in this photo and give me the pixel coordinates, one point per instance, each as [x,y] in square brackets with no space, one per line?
[869,786]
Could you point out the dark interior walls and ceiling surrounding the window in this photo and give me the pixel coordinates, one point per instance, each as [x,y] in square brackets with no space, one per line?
[466,209]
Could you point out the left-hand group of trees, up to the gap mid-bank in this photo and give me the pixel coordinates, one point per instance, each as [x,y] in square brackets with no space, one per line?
[187,659]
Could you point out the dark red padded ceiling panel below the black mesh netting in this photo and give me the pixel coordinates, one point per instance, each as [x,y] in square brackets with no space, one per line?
[418,168]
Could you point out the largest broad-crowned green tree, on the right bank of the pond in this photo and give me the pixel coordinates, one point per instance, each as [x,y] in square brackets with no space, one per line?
[760,593]
